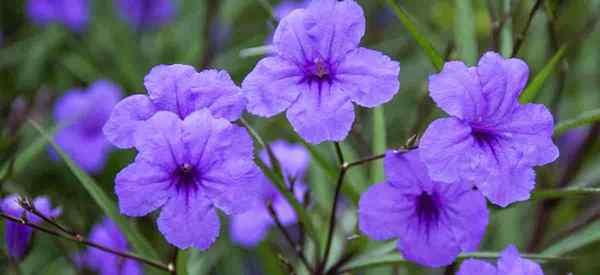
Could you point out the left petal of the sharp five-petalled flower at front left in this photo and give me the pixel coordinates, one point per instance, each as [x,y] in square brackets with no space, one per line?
[142,188]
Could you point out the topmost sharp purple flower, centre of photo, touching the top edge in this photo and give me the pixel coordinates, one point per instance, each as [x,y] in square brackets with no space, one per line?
[318,70]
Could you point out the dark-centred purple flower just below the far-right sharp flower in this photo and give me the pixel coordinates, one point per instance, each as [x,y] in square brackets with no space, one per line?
[434,221]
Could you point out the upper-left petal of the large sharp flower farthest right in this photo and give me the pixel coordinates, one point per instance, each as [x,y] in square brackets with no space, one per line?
[457,91]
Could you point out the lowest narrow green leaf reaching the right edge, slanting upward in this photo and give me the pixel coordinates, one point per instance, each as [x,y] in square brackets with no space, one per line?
[586,236]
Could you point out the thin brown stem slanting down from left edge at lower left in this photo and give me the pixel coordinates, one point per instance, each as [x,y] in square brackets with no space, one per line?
[86,242]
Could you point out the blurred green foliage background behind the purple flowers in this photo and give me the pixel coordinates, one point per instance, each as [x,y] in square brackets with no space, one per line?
[38,64]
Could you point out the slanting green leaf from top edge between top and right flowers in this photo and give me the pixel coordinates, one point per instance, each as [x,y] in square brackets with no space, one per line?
[435,58]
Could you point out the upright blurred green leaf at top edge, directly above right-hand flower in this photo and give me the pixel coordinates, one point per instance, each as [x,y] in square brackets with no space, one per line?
[465,31]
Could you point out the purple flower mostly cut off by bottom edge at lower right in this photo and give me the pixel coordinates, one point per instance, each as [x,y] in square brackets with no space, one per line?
[510,263]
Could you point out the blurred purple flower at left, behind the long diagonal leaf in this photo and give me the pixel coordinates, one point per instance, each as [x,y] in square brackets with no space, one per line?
[80,116]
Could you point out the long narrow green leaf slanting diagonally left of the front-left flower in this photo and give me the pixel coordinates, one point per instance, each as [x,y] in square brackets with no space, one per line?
[139,243]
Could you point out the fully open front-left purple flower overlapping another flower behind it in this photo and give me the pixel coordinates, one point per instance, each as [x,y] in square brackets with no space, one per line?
[189,168]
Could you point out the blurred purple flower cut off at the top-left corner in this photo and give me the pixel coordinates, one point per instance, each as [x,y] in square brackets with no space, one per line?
[71,13]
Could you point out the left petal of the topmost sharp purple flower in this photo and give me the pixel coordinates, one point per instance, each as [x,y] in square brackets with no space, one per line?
[272,86]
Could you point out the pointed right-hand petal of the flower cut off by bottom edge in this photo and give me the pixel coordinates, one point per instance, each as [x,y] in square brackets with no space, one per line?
[510,262]
